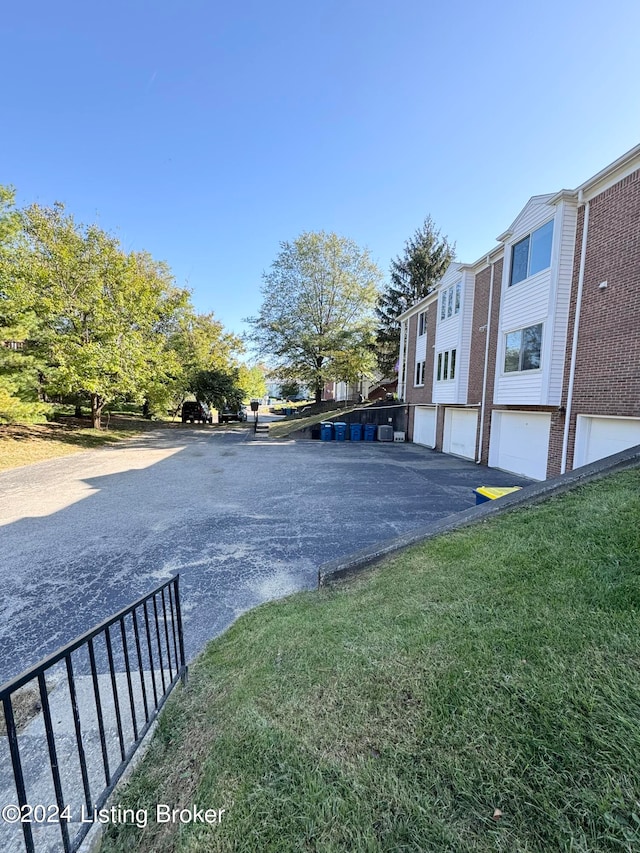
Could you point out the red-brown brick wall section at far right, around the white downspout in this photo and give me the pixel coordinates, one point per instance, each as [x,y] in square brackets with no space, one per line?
[607,373]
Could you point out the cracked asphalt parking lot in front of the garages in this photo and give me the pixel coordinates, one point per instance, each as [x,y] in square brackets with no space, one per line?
[243,521]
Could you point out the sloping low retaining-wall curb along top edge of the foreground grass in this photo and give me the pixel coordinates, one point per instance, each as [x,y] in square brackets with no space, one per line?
[343,567]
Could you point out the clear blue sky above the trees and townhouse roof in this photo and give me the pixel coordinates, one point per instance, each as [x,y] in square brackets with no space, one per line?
[206,132]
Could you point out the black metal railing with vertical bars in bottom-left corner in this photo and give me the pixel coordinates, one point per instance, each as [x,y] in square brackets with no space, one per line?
[70,725]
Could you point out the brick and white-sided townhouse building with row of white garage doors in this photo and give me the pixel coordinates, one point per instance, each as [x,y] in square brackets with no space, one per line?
[529,359]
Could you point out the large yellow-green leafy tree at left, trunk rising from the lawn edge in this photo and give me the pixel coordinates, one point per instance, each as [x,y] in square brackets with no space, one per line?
[101,313]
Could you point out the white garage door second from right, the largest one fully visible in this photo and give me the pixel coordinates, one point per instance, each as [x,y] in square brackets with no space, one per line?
[520,443]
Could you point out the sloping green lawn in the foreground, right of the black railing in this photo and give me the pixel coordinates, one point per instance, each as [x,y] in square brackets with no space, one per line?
[480,692]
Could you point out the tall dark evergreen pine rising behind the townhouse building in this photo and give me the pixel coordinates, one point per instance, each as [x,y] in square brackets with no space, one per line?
[413,274]
